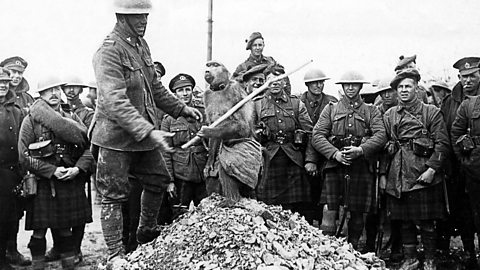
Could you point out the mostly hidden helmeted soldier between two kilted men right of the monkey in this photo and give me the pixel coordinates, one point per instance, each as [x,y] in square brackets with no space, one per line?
[315,101]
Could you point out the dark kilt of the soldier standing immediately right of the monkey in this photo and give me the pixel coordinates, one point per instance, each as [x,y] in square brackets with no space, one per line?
[284,182]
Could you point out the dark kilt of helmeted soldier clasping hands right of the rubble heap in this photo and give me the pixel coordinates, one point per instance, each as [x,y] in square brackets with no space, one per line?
[361,187]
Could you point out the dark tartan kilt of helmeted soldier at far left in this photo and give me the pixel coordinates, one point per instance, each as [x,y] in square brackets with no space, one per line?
[69,207]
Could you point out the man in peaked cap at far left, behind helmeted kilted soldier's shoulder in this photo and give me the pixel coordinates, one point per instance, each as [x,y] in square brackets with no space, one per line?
[19,84]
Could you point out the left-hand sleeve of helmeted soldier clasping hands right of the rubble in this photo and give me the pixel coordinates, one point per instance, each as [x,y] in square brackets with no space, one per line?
[321,132]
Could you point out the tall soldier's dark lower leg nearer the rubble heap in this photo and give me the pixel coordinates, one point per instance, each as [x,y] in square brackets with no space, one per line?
[148,230]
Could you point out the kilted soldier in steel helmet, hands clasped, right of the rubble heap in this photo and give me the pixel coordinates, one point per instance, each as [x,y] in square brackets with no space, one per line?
[349,134]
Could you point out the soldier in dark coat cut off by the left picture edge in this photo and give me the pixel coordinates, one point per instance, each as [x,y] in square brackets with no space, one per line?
[10,119]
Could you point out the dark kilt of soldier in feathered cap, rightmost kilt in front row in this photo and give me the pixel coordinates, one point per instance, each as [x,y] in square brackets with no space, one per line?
[421,204]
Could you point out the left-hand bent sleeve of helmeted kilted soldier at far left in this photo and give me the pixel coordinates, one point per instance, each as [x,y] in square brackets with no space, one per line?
[35,166]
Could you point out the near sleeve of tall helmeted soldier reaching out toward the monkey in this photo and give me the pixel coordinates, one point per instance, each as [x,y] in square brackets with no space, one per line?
[112,93]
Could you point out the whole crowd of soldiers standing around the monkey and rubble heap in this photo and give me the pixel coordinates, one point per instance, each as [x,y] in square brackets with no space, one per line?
[409,156]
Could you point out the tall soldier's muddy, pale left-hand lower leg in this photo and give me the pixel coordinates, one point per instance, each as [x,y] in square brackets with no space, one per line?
[112,227]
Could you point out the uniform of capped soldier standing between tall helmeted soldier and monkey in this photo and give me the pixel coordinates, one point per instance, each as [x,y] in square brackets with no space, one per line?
[186,165]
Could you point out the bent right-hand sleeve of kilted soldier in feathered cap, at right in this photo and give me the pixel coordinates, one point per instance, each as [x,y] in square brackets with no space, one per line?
[442,143]
